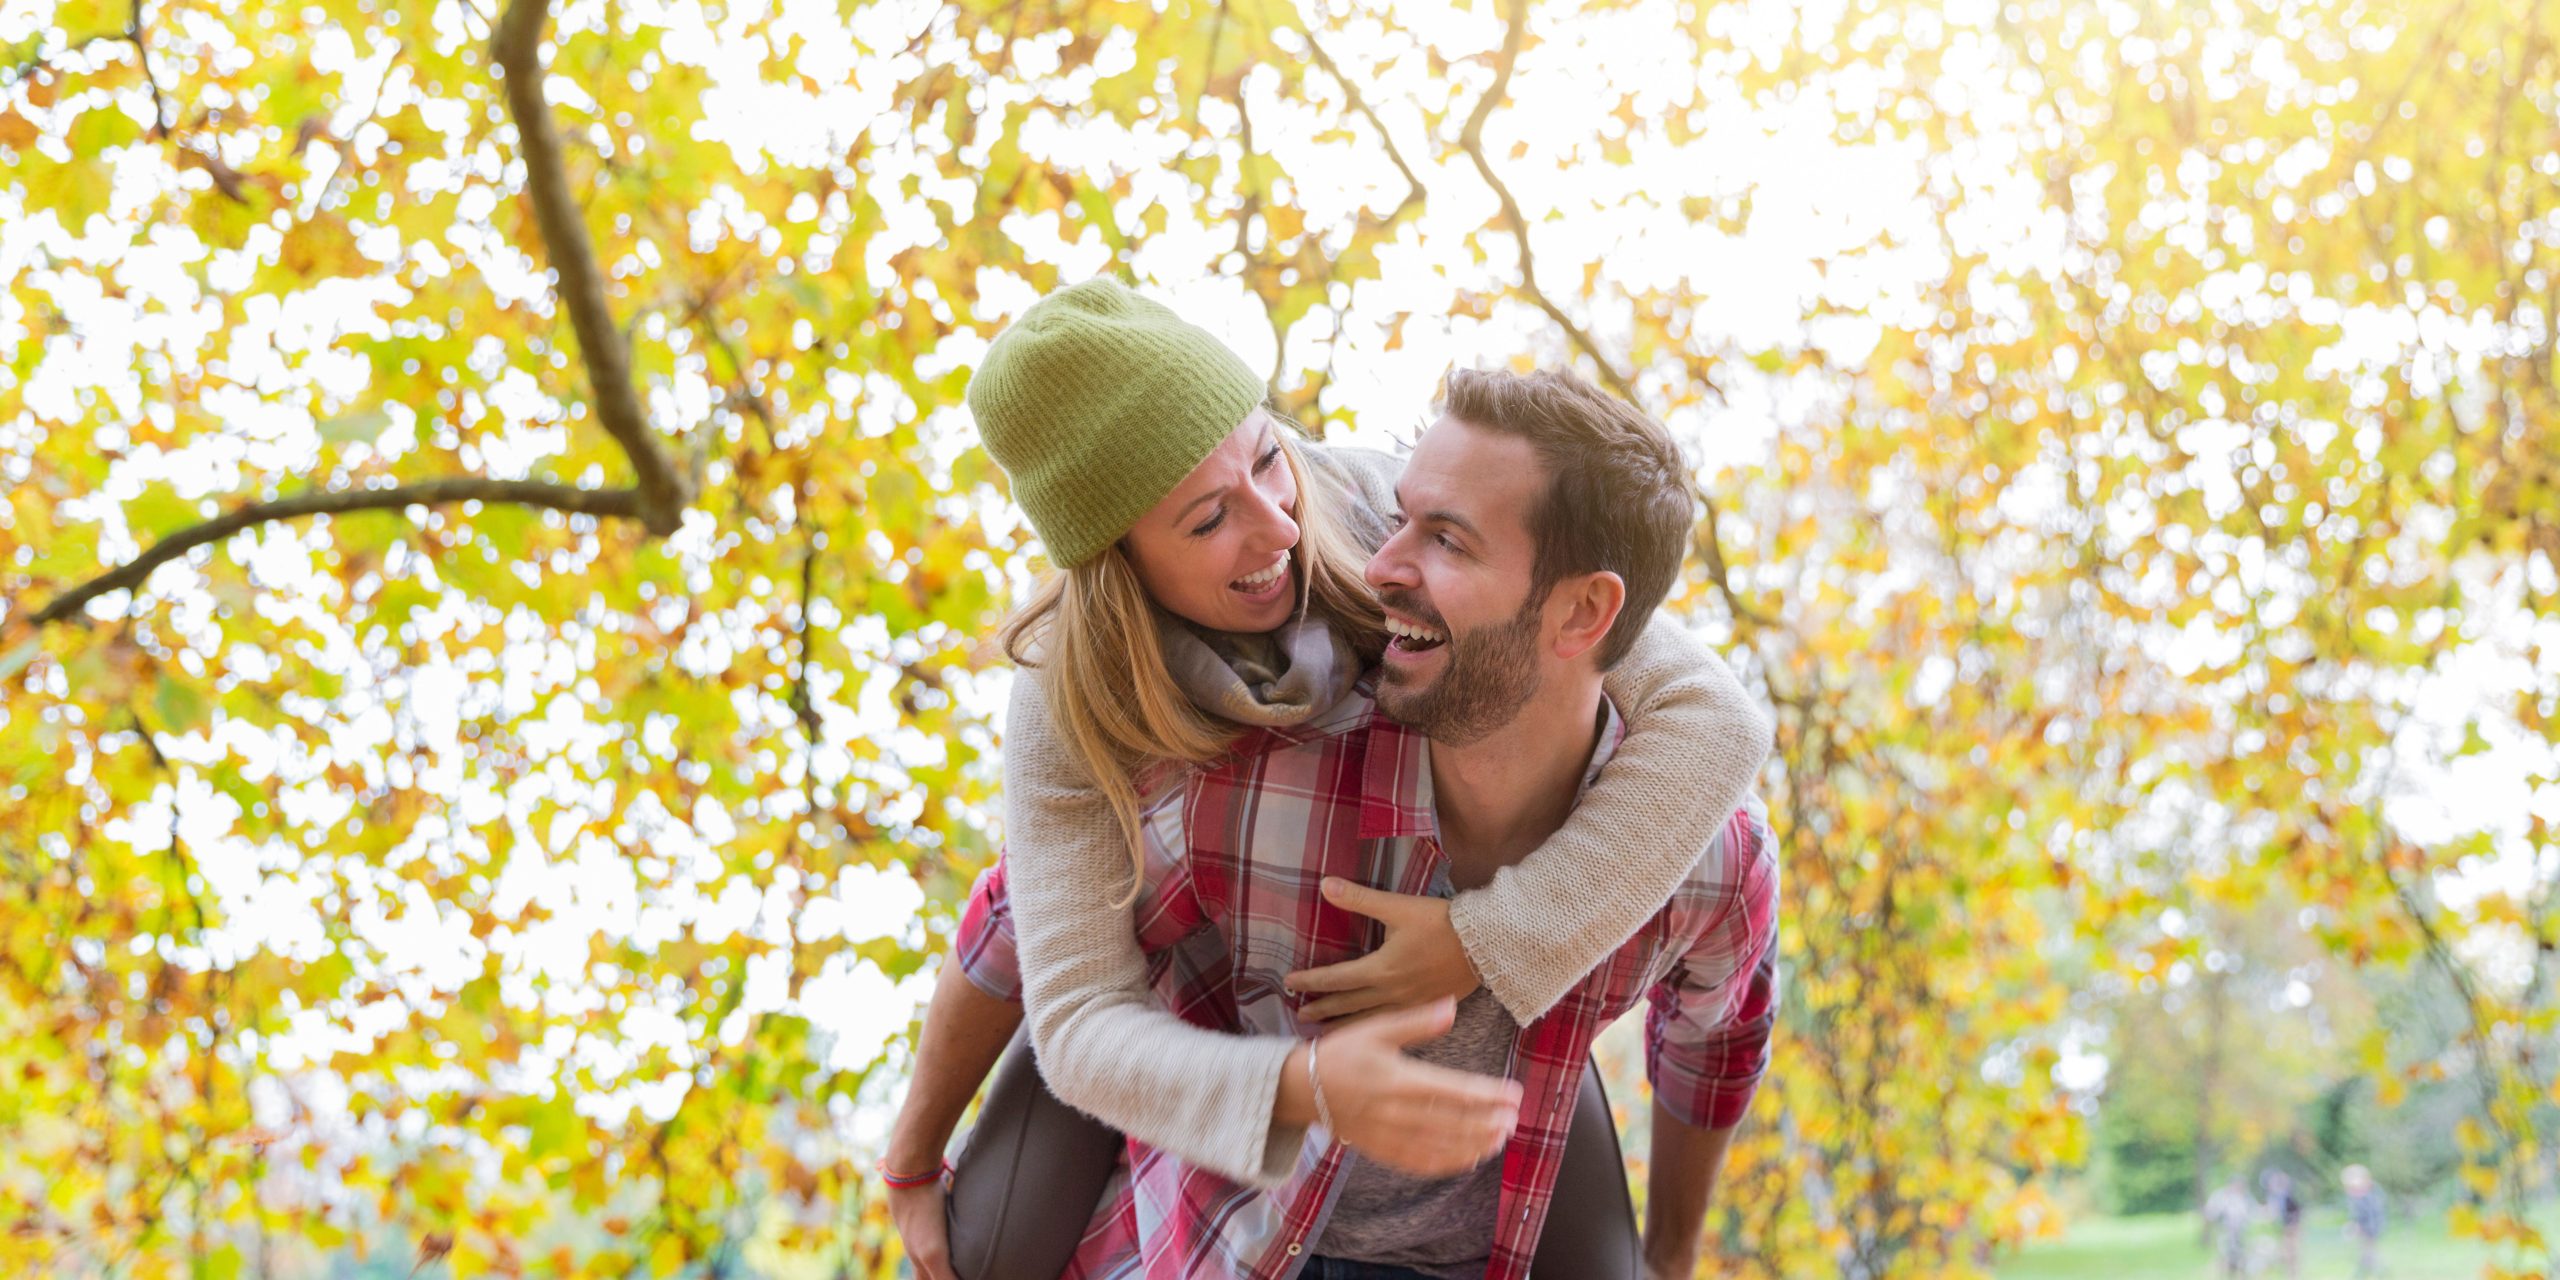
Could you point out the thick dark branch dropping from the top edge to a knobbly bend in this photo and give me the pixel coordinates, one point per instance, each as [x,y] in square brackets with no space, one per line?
[518,50]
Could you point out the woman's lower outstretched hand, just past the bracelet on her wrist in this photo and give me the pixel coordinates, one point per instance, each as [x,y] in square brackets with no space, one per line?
[1414,1117]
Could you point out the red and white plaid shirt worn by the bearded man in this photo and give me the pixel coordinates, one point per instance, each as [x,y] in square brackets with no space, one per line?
[1350,795]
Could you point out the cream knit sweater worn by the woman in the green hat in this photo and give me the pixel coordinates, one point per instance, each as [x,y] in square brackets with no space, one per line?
[1693,746]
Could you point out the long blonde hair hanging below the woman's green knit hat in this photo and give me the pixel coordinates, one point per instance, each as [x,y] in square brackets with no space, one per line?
[1094,634]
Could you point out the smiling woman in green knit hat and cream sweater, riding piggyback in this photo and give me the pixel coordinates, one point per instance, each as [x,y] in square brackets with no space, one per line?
[1212,580]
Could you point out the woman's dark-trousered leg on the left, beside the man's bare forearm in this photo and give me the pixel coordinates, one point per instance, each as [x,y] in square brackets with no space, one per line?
[1028,1179]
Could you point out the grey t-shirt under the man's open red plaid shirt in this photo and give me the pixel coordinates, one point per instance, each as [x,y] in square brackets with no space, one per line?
[1435,1225]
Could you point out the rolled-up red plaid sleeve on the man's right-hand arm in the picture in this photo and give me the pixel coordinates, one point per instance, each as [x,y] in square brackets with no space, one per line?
[1711,1015]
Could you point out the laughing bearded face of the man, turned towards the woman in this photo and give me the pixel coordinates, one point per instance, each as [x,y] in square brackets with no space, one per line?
[1455,580]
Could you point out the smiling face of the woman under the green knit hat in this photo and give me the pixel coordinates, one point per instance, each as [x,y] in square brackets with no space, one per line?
[1220,549]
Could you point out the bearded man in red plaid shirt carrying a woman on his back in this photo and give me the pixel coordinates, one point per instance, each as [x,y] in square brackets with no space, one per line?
[1542,526]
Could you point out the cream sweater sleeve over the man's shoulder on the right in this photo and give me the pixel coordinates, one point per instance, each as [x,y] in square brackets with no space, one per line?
[1693,749]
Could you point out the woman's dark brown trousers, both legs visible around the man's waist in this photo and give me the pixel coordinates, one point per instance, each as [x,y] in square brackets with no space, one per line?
[1033,1171]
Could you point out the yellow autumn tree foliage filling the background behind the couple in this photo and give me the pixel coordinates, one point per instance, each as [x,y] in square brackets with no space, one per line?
[495,562]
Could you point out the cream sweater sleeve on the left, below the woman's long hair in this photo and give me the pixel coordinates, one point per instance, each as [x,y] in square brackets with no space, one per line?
[1102,1041]
